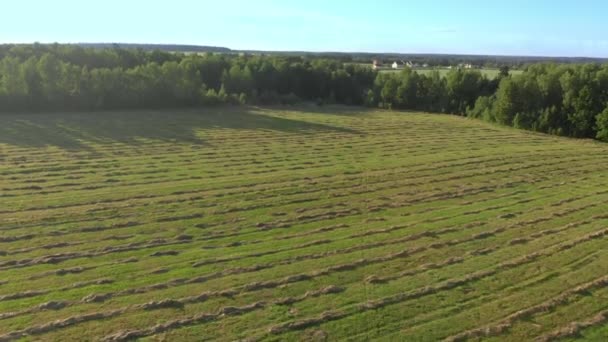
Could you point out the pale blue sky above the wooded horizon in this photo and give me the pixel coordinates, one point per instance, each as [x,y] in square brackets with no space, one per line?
[511,27]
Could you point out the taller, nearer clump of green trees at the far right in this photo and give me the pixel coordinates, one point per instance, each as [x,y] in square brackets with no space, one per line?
[570,100]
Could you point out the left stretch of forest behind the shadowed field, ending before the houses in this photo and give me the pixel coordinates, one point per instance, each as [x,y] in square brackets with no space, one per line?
[58,77]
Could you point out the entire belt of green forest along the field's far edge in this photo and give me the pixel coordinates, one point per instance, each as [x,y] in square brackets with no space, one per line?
[562,99]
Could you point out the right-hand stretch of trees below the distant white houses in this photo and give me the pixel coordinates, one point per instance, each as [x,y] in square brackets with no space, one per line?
[569,100]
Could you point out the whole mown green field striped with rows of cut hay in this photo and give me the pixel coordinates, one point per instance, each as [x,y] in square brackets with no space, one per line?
[298,224]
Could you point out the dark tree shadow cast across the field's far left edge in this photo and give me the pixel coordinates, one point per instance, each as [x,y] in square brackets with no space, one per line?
[76,130]
